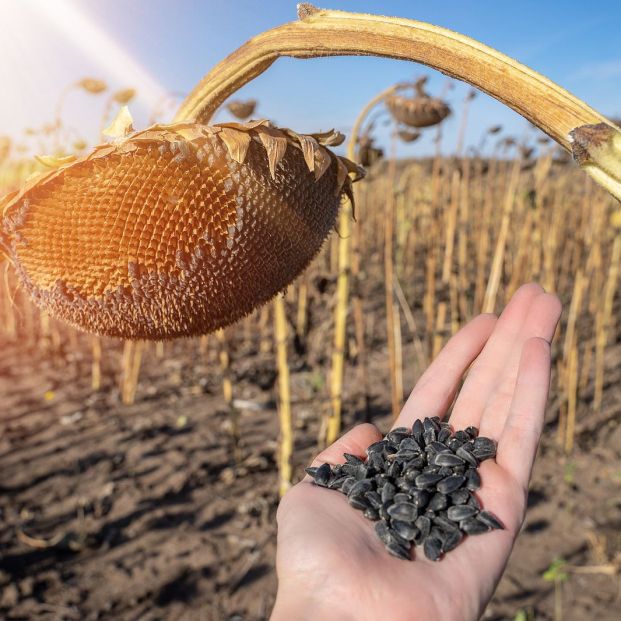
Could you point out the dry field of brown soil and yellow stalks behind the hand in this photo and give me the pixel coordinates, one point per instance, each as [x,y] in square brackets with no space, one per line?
[164,507]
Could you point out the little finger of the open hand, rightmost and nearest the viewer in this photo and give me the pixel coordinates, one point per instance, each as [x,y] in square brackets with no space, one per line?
[518,443]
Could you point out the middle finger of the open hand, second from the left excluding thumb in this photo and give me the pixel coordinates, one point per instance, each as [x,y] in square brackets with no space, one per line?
[483,376]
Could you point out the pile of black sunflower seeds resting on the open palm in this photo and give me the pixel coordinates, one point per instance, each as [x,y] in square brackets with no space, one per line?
[418,486]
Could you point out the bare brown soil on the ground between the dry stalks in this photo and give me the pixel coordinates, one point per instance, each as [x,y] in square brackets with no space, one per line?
[141,512]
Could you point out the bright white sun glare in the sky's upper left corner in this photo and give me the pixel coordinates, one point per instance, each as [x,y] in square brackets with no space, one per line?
[47,45]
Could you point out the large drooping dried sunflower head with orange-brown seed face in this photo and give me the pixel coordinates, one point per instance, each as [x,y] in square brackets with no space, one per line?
[124,253]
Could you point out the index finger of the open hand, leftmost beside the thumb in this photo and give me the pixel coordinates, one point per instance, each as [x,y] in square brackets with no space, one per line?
[436,388]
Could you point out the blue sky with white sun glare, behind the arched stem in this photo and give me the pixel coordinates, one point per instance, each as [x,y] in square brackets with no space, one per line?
[176,42]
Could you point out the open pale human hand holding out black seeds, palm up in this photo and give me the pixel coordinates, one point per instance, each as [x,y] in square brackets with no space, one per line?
[332,566]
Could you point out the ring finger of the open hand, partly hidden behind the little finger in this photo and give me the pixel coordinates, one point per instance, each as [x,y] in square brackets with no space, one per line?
[540,323]
